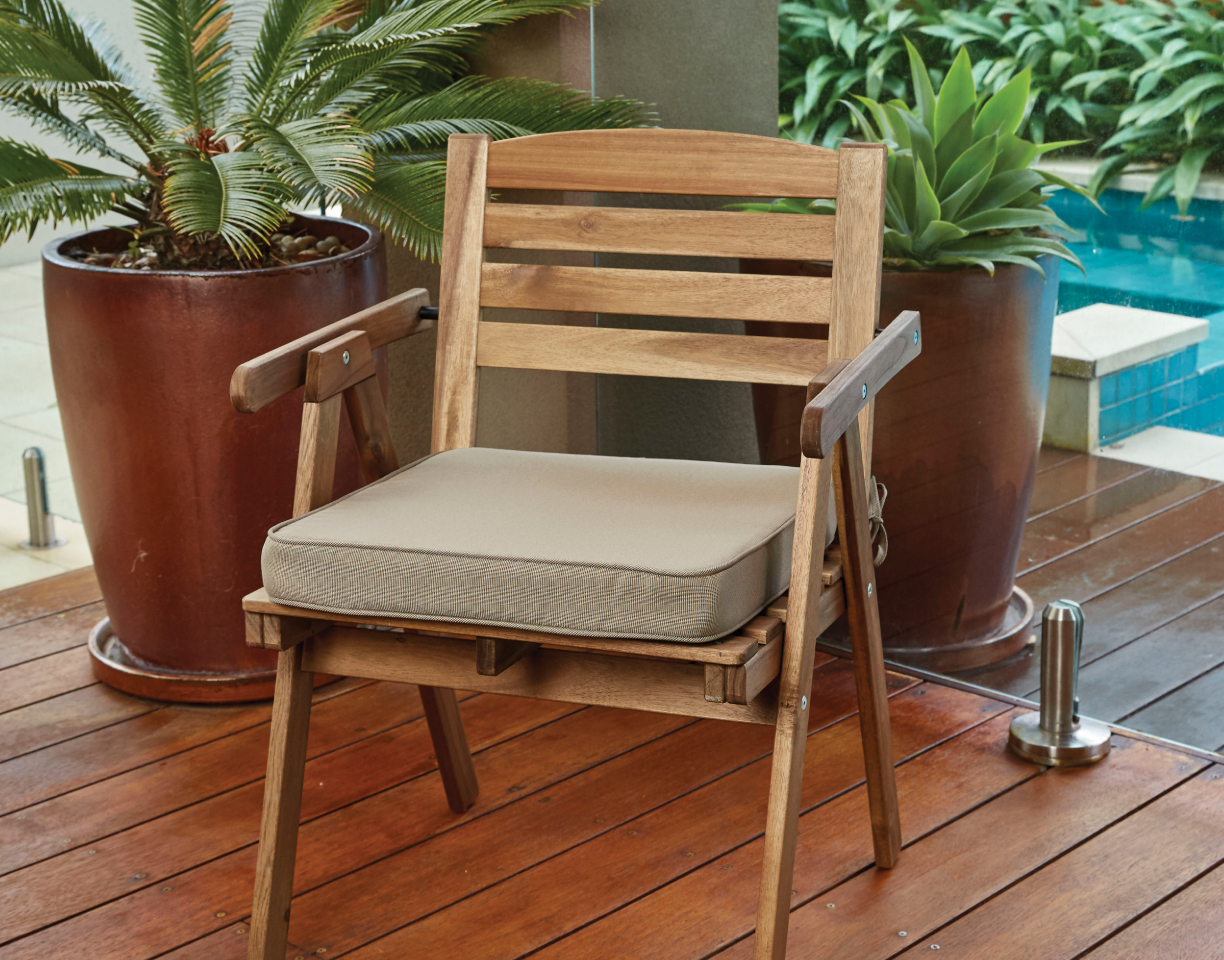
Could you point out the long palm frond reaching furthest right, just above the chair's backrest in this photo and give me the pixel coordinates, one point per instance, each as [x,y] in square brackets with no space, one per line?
[502,108]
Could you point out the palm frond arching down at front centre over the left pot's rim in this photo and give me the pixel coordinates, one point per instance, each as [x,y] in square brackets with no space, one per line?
[231,195]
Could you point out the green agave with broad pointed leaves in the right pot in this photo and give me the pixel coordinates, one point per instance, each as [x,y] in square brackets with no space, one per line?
[961,187]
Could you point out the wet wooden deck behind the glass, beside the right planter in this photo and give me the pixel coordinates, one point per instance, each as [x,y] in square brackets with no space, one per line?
[1144,552]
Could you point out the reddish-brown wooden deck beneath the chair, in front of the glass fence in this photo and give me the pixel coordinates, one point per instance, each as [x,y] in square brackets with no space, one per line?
[128,828]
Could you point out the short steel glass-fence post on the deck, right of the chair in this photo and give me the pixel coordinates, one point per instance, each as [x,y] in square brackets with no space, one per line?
[1057,737]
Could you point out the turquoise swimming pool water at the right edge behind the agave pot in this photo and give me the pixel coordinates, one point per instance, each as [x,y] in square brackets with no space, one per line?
[1154,260]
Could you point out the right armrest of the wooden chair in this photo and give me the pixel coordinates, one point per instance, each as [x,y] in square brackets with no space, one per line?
[834,410]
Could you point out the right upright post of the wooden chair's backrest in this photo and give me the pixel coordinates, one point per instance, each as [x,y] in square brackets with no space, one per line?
[859,247]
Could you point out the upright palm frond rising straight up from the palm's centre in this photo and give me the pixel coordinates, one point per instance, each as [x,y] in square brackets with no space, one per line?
[190,51]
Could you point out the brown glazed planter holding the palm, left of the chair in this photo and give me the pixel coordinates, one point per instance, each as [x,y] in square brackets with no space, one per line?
[178,489]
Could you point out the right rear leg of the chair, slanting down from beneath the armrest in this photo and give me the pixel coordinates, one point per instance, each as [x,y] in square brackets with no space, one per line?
[859,571]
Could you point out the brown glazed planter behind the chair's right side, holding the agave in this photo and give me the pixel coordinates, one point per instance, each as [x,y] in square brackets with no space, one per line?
[957,440]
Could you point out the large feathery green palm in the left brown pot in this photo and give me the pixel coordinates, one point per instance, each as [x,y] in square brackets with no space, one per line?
[336,101]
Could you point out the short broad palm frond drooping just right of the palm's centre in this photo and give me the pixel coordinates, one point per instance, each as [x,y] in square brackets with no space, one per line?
[320,157]
